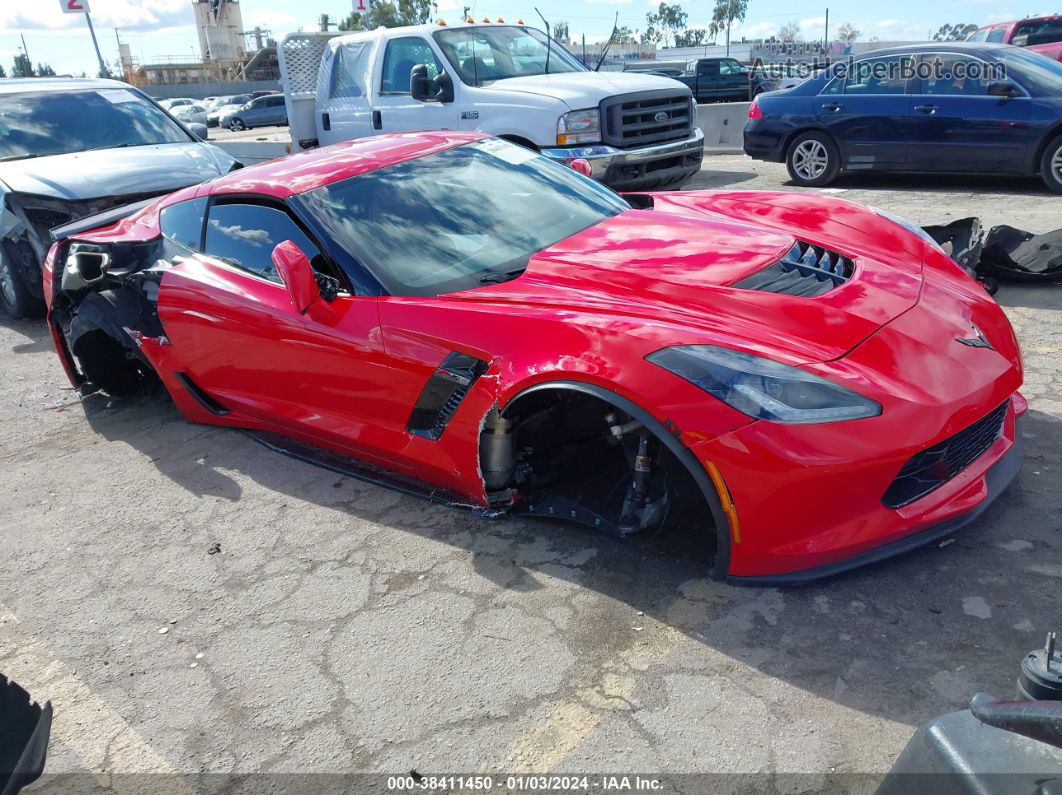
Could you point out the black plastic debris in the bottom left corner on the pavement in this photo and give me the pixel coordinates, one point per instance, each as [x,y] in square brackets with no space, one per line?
[25,730]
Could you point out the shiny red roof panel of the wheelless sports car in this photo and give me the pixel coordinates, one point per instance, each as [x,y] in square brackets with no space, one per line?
[305,171]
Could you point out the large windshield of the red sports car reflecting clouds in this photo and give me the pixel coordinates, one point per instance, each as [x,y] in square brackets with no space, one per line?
[461,218]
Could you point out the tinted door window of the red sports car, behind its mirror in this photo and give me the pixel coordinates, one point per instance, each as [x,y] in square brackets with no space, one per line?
[245,236]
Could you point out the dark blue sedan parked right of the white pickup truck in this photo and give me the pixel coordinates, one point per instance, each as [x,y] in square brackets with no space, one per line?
[881,116]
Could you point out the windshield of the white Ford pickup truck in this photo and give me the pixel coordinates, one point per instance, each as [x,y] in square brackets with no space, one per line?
[483,56]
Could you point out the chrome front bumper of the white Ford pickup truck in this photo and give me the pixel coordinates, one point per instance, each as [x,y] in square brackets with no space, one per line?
[635,169]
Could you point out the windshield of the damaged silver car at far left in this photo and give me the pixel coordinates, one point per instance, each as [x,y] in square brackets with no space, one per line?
[39,124]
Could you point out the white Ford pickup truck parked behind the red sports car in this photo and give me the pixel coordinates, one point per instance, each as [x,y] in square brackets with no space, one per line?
[638,131]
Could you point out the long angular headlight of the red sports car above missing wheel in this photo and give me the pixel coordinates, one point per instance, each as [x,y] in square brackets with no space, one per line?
[763,389]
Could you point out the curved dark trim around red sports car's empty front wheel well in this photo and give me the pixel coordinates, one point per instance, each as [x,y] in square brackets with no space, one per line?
[665,437]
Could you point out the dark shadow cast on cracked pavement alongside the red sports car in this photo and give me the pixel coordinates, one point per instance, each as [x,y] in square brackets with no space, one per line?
[905,640]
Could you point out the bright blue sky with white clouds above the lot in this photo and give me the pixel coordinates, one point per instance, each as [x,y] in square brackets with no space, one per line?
[160,29]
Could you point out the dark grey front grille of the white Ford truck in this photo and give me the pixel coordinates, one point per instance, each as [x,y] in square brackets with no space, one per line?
[650,117]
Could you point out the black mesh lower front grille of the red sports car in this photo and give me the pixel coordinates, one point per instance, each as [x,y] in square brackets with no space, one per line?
[935,468]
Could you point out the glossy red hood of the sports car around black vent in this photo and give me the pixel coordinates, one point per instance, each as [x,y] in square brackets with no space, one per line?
[673,272]
